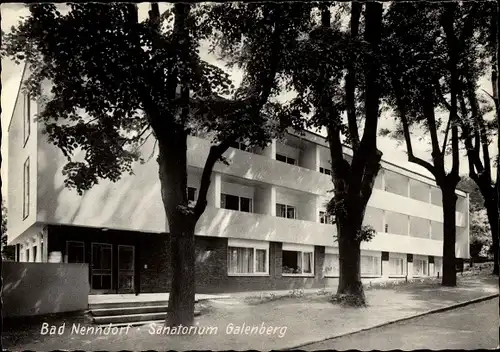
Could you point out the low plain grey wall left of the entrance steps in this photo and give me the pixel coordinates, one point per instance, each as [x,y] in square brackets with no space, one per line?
[44,288]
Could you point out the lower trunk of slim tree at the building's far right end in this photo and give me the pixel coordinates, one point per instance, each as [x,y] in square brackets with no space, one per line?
[449,212]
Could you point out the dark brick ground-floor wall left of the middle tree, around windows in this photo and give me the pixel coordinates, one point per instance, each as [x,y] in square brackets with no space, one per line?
[153,262]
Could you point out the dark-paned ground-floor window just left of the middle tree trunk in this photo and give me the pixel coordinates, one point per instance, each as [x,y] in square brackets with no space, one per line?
[297,260]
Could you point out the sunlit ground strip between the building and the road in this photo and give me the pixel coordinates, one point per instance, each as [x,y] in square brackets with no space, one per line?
[293,321]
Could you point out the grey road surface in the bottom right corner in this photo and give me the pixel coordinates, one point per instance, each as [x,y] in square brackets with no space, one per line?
[471,327]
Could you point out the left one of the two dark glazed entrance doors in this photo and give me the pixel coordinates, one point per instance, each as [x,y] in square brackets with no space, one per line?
[101,266]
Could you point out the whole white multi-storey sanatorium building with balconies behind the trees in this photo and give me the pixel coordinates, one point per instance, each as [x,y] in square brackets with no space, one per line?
[264,227]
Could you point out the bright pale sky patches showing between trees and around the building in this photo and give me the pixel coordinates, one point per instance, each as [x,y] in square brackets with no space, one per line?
[11,77]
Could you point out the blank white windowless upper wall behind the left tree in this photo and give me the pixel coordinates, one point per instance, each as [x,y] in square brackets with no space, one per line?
[132,203]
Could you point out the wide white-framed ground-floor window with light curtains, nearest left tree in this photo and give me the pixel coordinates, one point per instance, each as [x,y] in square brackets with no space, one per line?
[247,260]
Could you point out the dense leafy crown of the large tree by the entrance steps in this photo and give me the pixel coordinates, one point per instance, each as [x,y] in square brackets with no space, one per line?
[115,80]
